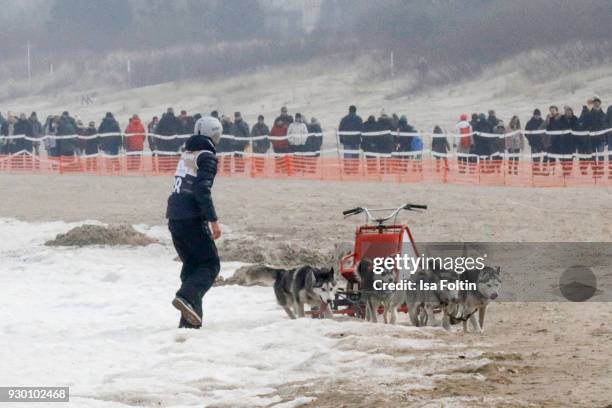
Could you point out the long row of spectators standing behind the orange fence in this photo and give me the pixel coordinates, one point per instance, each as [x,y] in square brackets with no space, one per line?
[555,136]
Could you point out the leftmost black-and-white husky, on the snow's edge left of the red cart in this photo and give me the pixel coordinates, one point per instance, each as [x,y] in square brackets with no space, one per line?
[306,284]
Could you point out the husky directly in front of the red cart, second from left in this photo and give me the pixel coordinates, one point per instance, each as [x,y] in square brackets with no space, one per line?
[372,297]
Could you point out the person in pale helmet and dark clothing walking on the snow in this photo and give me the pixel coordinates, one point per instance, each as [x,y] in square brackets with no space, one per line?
[193,221]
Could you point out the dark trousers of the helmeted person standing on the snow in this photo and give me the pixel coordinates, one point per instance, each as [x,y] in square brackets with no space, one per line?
[194,244]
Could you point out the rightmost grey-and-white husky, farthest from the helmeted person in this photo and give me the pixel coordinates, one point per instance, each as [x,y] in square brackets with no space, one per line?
[488,286]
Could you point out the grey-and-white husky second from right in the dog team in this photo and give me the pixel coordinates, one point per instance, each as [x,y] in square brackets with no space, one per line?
[422,303]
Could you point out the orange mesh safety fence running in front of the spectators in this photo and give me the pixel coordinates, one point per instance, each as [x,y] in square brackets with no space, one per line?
[521,173]
